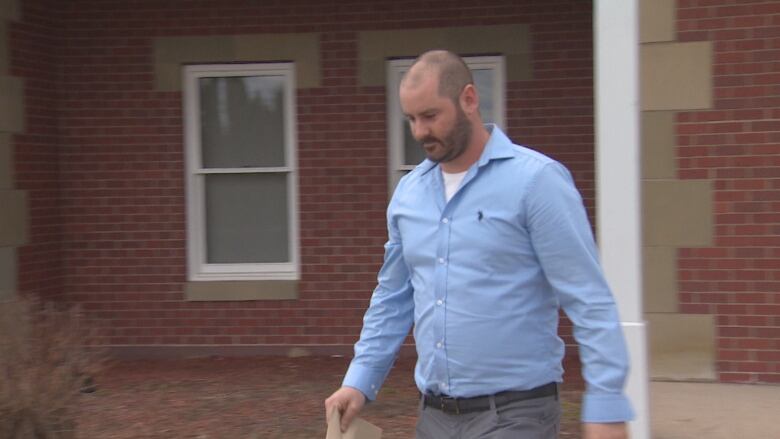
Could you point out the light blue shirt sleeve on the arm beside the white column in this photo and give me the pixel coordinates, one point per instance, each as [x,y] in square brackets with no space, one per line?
[561,235]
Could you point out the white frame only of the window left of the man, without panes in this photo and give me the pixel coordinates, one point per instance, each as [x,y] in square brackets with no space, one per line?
[197,267]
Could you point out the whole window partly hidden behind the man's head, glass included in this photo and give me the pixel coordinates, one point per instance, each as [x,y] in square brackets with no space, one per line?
[405,152]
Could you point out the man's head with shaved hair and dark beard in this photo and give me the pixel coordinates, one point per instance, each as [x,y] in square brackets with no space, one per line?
[440,101]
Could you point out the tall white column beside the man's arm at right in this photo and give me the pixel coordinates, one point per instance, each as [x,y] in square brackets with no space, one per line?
[618,187]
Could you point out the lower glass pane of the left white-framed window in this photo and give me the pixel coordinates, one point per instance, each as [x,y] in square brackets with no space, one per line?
[246,218]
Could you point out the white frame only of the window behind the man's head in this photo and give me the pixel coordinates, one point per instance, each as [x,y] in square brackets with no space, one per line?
[396,119]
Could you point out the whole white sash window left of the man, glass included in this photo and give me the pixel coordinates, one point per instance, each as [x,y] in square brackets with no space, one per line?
[241,178]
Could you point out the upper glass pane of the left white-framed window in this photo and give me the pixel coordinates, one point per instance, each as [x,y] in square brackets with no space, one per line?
[242,121]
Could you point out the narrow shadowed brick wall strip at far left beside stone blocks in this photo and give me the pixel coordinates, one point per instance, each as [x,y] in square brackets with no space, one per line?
[34,42]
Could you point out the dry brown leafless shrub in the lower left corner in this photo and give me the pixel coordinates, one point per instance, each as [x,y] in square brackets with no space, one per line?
[45,363]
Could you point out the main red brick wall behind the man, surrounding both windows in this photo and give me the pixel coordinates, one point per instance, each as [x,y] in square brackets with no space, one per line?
[121,158]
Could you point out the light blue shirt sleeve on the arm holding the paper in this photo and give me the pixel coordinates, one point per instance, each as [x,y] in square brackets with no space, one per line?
[387,321]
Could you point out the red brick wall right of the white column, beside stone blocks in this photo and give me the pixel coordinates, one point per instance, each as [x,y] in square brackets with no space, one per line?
[737,146]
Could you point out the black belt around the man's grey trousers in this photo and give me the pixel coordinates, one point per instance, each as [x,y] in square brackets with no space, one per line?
[458,406]
